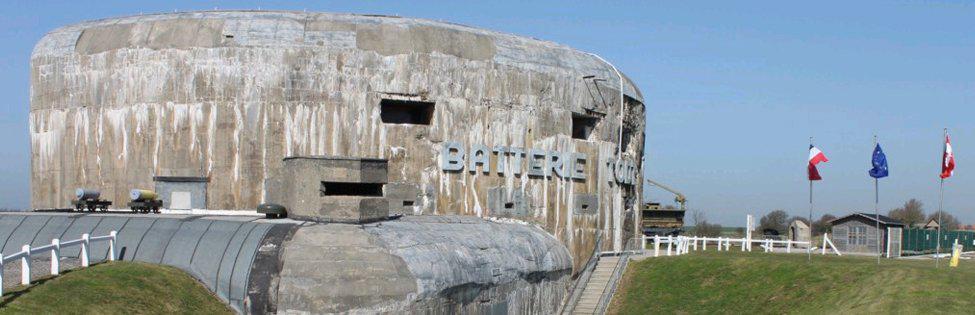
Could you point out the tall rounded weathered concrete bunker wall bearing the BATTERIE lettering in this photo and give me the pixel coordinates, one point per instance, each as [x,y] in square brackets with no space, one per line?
[227,95]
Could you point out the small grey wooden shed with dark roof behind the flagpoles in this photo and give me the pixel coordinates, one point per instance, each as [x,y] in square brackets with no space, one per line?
[858,233]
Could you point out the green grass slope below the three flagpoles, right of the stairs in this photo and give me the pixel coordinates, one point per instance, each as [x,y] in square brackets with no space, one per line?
[736,283]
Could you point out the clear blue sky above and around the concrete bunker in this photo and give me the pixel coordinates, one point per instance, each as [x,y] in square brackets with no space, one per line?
[733,90]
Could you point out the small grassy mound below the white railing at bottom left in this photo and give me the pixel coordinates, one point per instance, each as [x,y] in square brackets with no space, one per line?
[115,288]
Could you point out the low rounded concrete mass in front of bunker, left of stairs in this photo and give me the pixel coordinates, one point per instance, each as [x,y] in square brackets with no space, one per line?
[424,264]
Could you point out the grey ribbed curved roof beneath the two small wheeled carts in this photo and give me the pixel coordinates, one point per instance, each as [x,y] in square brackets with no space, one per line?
[219,251]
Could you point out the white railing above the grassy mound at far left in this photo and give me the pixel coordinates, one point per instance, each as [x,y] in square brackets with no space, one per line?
[55,248]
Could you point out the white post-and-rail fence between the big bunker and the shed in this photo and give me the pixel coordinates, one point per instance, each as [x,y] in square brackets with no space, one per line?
[683,244]
